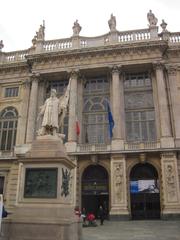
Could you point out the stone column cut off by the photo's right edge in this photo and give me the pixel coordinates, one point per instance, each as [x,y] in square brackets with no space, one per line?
[175,100]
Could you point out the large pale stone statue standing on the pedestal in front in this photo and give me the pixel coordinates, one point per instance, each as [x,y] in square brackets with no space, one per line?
[53,112]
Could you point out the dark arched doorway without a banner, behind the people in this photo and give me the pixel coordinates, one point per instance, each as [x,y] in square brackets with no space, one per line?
[95,190]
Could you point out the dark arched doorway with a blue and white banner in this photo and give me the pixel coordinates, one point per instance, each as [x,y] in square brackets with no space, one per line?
[144,192]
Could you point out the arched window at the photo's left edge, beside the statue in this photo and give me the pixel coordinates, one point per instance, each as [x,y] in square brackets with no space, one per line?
[8,128]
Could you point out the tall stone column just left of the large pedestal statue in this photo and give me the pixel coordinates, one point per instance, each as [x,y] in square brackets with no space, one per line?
[32,113]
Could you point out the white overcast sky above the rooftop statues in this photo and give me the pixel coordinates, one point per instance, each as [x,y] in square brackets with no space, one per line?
[20,19]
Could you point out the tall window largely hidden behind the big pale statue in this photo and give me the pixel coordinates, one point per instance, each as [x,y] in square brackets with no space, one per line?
[60,86]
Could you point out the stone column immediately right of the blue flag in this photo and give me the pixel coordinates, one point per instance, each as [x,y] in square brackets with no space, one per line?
[118,109]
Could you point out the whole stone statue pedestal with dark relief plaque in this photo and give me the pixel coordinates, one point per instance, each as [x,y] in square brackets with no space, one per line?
[46,196]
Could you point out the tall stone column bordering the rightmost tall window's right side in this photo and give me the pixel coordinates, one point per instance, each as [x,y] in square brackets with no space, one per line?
[164,114]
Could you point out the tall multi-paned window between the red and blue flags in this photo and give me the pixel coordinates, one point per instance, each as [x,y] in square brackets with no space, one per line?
[95,120]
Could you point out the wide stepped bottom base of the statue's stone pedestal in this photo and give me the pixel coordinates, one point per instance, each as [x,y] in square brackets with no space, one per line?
[30,223]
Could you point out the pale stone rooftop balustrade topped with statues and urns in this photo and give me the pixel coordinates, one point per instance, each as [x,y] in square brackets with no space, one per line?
[40,45]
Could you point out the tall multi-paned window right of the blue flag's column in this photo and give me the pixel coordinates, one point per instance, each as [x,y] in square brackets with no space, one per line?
[139,108]
